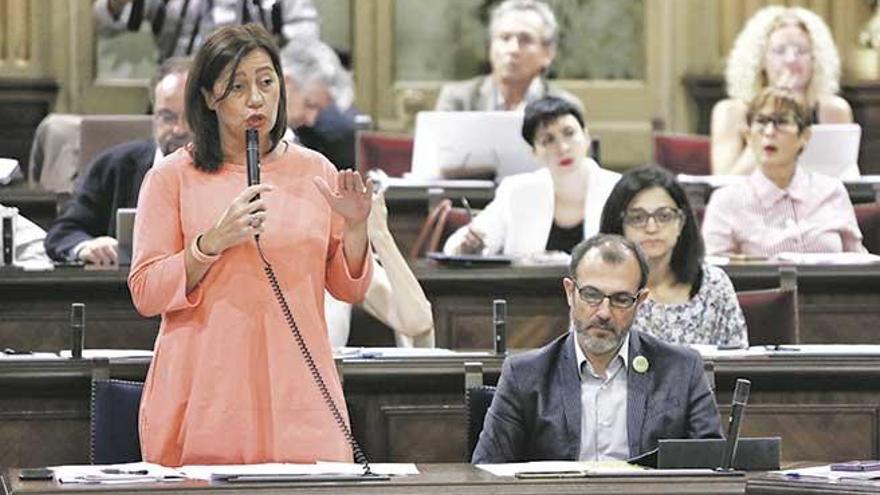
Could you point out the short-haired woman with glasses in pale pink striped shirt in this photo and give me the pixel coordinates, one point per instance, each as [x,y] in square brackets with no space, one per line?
[780,207]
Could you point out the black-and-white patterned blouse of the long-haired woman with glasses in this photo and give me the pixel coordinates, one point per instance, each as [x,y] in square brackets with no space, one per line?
[712,316]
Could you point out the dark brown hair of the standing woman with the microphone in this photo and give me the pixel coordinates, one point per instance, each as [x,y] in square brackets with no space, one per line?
[226,47]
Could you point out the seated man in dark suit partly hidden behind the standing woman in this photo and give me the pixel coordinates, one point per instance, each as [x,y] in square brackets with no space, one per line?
[86,231]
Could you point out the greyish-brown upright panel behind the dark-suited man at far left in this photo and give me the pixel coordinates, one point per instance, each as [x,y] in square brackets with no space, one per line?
[100,132]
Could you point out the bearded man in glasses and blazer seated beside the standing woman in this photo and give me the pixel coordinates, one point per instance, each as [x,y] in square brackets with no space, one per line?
[602,390]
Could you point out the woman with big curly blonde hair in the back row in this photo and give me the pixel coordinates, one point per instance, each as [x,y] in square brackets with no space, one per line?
[787,47]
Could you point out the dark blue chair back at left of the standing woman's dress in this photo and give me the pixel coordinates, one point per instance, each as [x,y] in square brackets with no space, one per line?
[114,421]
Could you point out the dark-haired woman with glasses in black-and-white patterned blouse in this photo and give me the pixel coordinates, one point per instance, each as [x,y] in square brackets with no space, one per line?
[689,301]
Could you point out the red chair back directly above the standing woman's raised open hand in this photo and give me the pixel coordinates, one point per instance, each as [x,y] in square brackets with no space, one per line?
[391,153]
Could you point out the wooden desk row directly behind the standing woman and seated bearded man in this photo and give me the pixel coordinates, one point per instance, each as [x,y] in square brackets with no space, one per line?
[824,408]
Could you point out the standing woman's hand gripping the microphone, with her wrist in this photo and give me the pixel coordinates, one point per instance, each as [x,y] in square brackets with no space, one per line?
[241,220]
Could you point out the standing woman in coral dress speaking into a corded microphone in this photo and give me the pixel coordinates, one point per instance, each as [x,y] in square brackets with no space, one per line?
[228,382]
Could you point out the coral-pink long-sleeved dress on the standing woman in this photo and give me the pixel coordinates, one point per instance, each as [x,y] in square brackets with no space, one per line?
[227,383]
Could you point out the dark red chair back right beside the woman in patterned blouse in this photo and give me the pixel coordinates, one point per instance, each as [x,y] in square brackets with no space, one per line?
[772,314]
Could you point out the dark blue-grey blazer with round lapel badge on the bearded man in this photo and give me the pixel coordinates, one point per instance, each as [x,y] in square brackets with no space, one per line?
[536,412]
